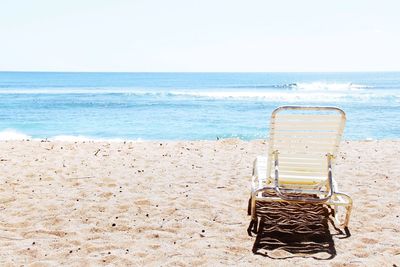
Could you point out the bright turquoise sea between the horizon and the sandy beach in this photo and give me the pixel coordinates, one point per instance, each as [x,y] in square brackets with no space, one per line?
[189,106]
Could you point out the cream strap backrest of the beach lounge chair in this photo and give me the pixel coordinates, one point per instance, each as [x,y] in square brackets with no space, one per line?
[303,136]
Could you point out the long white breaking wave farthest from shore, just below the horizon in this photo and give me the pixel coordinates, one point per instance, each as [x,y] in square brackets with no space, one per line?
[292,92]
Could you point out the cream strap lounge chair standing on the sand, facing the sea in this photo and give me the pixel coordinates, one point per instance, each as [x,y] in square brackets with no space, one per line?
[302,147]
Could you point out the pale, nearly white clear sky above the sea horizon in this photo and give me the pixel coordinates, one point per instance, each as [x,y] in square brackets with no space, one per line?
[204,35]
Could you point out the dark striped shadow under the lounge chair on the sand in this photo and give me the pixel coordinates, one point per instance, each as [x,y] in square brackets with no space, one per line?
[288,230]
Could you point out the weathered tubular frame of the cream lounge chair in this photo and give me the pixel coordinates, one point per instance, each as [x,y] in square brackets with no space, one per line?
[331,196]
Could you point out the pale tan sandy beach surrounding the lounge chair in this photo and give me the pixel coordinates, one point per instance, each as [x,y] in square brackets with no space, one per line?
[179,204]
